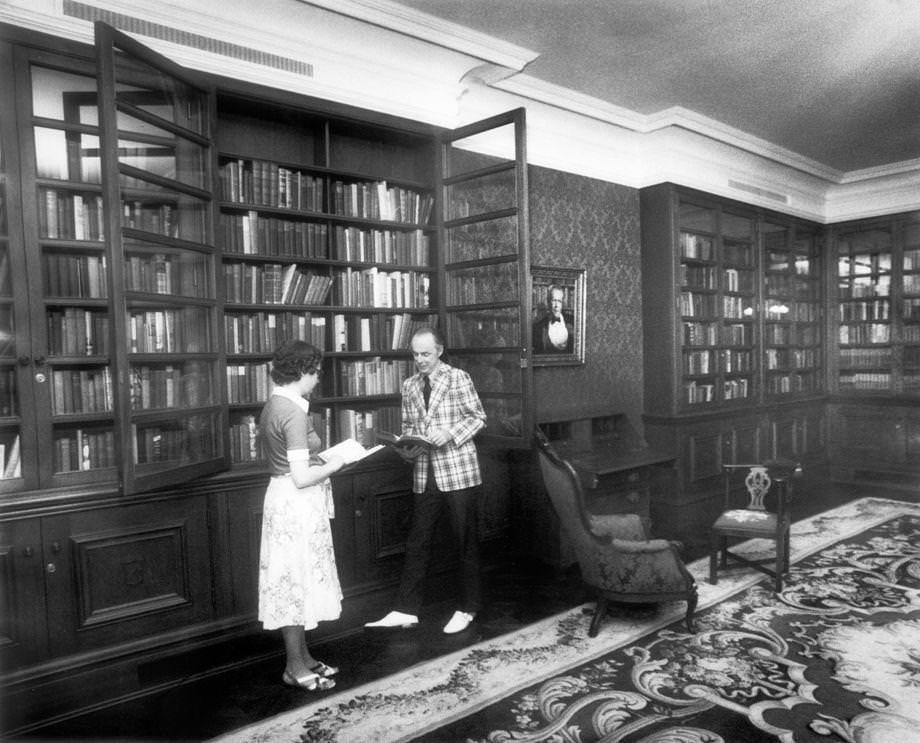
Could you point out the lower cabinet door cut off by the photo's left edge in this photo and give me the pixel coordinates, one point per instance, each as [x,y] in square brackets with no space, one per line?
[23,638]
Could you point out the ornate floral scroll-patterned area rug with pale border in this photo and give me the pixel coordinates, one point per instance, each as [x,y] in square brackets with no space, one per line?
[835,657]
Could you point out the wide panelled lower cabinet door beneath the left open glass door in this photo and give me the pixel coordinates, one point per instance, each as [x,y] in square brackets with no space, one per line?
[124,574]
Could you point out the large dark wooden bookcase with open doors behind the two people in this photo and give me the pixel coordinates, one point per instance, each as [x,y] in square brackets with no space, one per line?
[161,232]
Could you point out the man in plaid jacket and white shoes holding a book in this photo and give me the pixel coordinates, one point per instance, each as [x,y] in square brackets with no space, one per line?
[446,475]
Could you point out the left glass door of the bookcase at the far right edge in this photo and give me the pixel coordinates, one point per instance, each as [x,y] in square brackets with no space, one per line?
[864,283]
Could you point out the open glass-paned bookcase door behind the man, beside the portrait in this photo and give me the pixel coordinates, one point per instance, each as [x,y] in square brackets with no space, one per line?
[485,268]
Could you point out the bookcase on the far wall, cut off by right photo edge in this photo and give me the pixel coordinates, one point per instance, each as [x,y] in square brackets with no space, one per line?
[875,372]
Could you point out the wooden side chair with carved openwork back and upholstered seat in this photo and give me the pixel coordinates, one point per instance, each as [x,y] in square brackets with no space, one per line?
[766,516]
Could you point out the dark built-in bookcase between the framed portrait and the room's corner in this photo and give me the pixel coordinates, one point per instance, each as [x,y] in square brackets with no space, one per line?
[734,335]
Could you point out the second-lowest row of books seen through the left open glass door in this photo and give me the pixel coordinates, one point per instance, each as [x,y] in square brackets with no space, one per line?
[170,385]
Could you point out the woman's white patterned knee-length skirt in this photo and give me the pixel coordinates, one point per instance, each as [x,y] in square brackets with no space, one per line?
[298,581]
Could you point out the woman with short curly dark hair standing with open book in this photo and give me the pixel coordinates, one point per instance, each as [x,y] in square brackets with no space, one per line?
[298,583]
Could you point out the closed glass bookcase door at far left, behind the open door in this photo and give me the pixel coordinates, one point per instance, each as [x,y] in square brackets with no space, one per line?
[70,361]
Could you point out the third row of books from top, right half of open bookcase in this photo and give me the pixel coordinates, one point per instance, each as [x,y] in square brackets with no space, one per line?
[372,287]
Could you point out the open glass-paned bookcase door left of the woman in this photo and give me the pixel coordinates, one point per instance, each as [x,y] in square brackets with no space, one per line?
[157,159]
